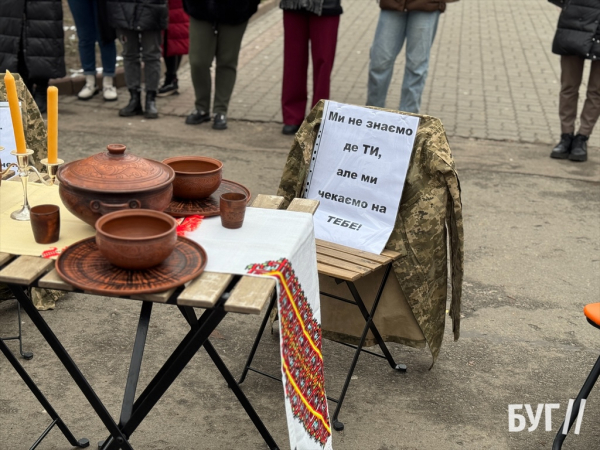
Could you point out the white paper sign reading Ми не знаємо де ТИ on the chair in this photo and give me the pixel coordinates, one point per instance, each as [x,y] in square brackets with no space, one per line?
[357,172]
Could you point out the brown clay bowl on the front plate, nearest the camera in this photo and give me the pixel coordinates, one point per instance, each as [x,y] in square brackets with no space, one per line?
[136,239]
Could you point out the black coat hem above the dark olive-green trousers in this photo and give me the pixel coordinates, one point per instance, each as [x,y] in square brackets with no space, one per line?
[229,12]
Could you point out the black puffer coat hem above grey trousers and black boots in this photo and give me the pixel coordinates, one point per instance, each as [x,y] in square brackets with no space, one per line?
[138,15]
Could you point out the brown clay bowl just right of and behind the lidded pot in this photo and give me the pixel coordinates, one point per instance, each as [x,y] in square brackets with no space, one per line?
[196,177]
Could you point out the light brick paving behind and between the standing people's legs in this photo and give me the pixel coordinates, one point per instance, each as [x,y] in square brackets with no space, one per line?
[492,73]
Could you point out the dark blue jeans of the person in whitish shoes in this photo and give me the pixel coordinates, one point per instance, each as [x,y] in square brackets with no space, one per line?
[85,14]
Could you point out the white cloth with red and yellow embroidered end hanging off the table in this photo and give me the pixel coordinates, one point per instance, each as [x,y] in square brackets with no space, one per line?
[282,244]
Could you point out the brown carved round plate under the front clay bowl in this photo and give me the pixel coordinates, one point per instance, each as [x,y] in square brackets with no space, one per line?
[83,266]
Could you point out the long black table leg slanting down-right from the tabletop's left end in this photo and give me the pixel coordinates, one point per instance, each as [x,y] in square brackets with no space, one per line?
[70,365]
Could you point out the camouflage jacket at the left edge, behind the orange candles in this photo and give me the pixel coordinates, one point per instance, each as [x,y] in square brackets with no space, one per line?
[33,123]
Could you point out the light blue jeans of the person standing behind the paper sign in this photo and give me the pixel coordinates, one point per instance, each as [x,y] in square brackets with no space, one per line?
[394,27]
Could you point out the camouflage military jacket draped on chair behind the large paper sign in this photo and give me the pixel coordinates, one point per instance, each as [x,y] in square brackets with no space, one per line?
[430,213]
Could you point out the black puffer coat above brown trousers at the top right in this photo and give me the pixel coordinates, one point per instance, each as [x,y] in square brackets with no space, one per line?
[578,31]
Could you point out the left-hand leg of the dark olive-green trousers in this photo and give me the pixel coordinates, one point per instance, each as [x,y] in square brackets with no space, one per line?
[203,45]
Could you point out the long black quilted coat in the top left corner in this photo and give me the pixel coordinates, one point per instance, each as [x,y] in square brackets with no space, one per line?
[37,26]
